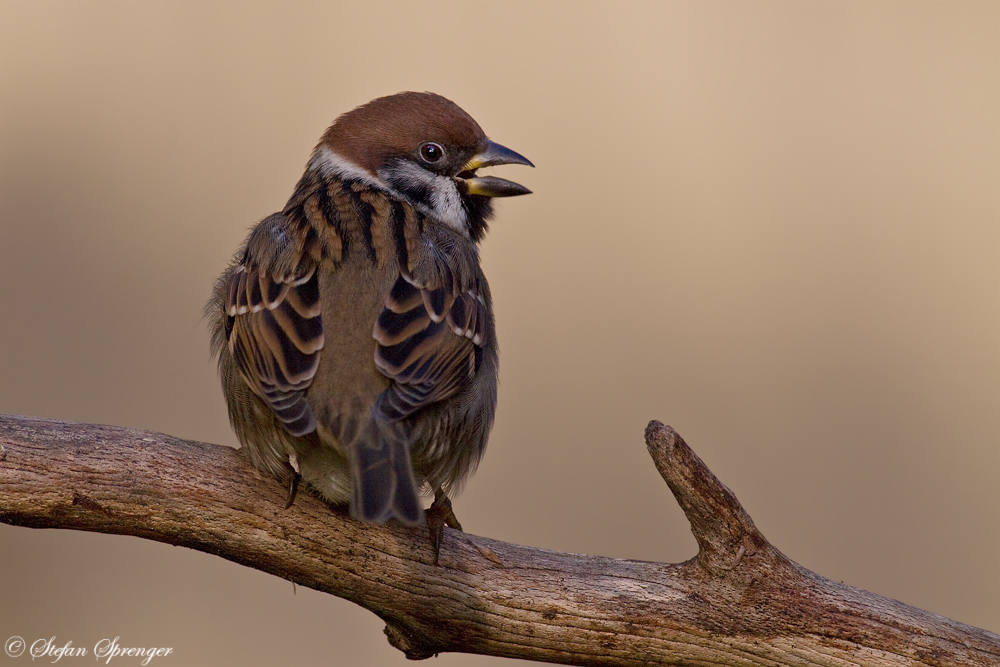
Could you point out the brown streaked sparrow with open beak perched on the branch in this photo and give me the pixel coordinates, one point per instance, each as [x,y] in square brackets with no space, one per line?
[354,329]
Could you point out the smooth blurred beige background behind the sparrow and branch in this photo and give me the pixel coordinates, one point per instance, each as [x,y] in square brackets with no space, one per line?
[774,226]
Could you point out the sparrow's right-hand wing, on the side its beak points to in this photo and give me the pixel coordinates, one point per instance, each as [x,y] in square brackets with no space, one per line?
[432,328]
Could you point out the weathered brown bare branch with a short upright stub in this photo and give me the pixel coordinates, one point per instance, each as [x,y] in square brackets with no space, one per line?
[739,602]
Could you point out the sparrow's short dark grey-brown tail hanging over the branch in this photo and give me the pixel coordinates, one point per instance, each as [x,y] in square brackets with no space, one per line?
[382,482]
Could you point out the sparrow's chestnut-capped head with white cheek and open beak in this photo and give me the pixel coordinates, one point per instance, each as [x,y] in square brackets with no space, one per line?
[424,149]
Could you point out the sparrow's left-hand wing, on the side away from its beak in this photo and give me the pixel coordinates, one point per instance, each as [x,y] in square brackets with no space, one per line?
[274,327]
